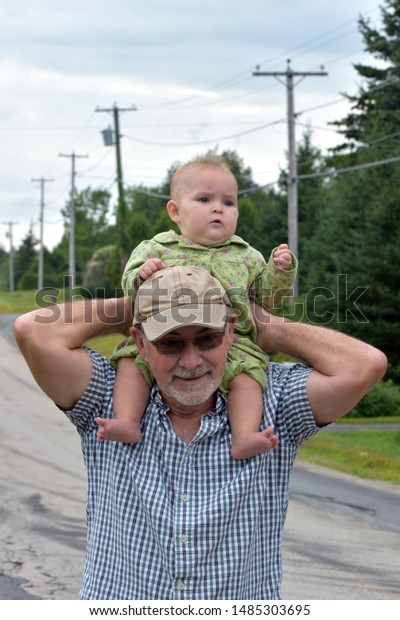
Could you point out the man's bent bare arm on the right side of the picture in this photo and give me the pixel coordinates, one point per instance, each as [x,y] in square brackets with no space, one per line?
[345,369]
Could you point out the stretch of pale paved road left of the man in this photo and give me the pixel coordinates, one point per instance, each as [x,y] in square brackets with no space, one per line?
[42,486]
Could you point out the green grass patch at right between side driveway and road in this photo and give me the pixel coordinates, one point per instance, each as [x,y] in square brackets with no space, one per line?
[368,454]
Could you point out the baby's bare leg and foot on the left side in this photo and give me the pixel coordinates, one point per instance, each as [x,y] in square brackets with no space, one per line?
[131,394]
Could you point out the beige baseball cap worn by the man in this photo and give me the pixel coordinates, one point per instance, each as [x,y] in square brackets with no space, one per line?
[177,297]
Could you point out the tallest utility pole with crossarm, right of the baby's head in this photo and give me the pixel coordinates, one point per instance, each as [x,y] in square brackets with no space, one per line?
[292,177]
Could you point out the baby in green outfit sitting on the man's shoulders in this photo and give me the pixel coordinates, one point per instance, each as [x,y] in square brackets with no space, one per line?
[204,206]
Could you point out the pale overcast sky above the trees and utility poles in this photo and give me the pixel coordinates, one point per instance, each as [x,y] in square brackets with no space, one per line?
[185,65]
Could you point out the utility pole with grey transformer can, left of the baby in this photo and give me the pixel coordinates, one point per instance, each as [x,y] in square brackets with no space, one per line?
[121,218]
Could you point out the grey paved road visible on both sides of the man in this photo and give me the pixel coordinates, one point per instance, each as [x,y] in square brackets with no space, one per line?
[342,537]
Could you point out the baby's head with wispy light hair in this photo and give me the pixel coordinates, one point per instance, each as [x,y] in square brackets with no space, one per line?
[204,200]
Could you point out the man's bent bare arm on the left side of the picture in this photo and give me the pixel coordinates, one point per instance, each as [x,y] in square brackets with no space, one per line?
[51,338]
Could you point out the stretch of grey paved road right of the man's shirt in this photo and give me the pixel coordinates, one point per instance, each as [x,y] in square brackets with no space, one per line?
[342,537]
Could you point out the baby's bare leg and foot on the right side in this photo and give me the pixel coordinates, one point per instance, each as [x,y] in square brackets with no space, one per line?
[245,411]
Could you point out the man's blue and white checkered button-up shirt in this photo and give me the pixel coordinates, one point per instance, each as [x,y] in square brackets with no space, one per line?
[171,521]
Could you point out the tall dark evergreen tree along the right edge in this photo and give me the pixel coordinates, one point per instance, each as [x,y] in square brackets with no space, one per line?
[359,229]
